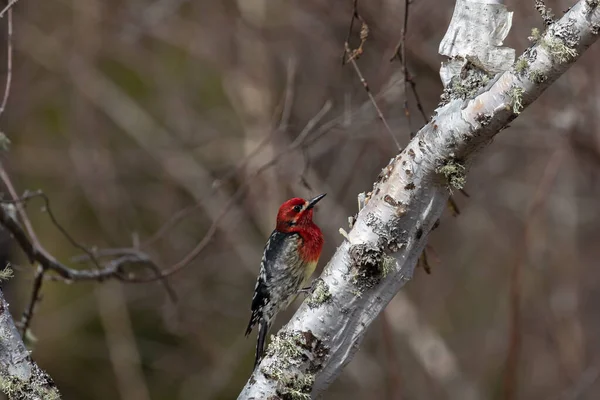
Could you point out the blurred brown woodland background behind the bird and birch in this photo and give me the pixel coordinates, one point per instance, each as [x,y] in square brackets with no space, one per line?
[125,112]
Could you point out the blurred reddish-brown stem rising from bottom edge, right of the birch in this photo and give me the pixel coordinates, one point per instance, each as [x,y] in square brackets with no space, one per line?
[514,347]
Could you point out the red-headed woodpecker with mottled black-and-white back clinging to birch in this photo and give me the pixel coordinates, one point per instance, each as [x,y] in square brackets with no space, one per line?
[289,259]
